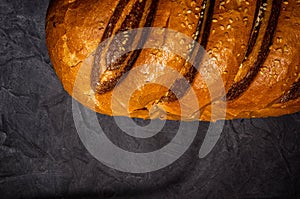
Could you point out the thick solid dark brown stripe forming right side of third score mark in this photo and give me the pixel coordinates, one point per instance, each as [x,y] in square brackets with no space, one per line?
[238,88]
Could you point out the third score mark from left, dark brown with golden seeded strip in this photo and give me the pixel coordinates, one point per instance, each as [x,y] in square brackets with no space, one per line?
[259,52]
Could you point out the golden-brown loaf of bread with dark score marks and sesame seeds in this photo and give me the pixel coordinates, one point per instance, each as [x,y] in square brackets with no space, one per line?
[254,45]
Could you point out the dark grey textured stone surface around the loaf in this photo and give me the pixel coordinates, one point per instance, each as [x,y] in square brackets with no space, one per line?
[41,155]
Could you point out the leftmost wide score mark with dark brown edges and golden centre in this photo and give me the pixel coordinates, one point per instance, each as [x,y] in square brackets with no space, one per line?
[140,14]
